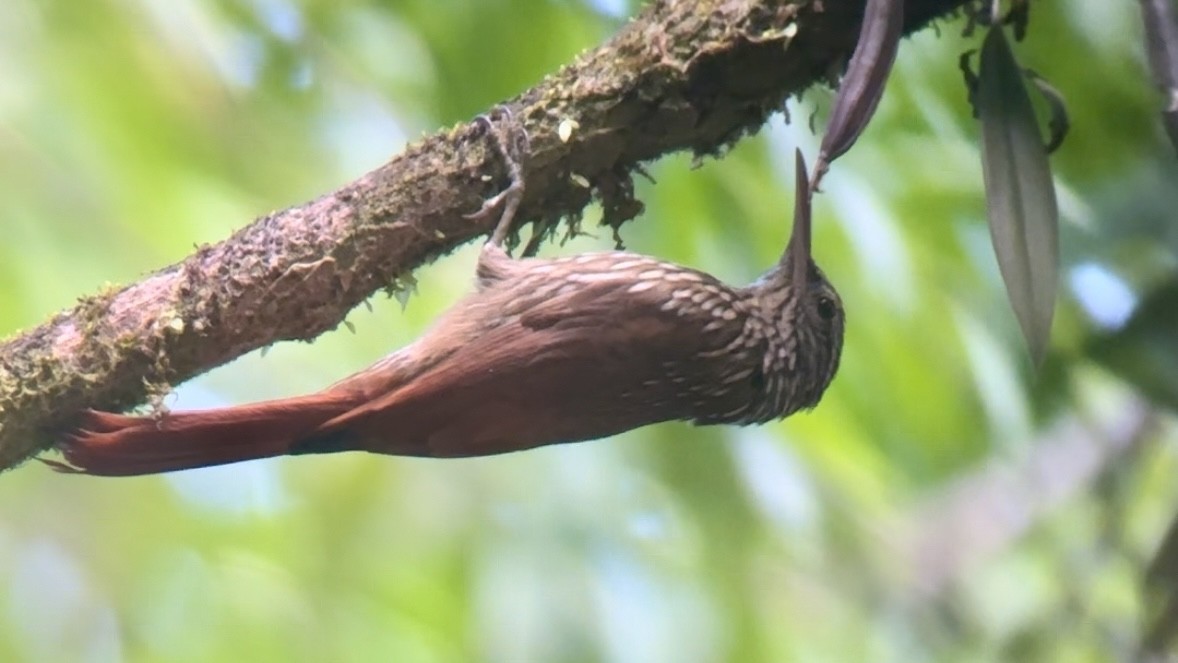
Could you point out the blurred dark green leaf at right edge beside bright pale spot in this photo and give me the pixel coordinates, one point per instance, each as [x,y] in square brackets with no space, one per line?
[1144,352]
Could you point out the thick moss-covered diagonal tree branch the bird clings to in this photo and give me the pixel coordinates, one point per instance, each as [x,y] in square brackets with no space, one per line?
[683,76]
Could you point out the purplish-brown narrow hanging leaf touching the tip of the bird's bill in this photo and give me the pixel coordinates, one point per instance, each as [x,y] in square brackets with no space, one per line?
[862,89]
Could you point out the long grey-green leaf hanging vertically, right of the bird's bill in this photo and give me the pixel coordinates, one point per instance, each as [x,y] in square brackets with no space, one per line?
[1021,198]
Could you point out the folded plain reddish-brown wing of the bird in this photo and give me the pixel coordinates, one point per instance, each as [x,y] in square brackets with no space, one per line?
[591,361]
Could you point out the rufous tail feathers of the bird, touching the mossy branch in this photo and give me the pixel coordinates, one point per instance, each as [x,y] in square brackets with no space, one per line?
[109,445]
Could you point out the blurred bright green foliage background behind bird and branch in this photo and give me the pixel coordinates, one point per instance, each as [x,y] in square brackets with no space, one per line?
[943,503]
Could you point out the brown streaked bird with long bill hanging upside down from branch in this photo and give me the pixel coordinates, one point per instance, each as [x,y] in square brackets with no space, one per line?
[544,352]
